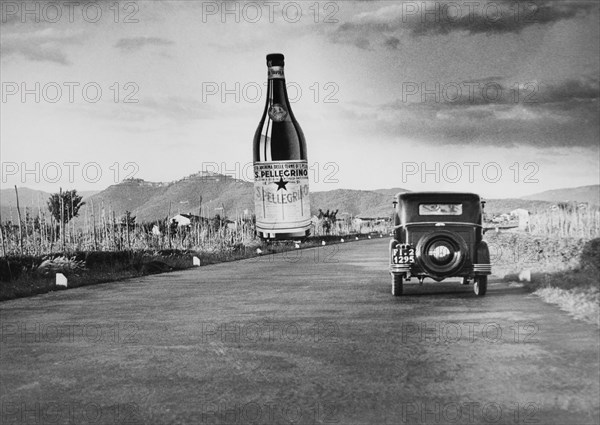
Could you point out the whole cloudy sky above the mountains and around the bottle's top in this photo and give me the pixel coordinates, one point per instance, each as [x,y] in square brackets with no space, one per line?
[495,97]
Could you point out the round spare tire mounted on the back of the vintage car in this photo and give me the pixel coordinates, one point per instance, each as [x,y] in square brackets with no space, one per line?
[441,253]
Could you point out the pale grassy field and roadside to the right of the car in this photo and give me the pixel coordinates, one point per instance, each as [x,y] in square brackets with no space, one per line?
[557,259]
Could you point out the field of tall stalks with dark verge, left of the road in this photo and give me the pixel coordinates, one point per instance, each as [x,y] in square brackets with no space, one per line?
[114,250]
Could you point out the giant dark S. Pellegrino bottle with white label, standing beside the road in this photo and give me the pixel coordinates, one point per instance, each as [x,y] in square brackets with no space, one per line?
[281,194]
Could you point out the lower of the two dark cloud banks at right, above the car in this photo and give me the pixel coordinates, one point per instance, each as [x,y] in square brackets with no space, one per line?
[564,113]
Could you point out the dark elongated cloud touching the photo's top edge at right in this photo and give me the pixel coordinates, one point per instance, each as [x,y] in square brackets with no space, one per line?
[435,18]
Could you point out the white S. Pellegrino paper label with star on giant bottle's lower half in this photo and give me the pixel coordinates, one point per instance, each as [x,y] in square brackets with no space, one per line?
[281,197]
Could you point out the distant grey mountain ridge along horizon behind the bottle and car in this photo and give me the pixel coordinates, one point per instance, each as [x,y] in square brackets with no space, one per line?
[208,194]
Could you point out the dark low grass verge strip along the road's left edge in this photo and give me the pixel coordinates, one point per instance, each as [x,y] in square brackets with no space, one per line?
[24,276]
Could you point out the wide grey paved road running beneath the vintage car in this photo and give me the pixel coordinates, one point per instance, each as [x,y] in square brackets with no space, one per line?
[314,337]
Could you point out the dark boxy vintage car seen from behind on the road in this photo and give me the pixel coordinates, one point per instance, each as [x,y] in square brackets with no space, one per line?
[439,235]
